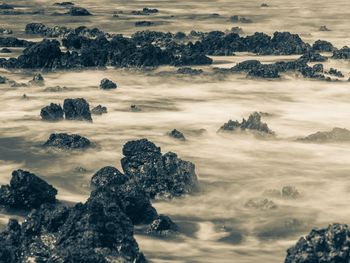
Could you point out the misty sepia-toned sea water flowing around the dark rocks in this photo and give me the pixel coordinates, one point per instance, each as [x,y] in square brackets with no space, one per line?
[215,224]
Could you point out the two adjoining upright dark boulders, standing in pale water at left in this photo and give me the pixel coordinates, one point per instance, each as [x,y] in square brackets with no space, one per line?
[73,109]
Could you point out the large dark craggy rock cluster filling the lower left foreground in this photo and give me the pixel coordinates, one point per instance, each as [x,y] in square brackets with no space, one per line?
[101,229]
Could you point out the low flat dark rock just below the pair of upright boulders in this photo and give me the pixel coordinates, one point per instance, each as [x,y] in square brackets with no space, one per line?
[67,141]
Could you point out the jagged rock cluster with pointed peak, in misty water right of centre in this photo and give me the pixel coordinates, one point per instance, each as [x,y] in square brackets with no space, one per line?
[253,123]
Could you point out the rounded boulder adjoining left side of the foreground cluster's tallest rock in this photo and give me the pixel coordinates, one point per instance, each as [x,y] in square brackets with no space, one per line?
[107,176]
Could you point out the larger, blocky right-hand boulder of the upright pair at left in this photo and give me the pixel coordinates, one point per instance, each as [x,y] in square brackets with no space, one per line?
[77,109]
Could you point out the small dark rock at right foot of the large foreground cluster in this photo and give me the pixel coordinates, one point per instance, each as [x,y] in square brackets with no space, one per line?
[163,226]
